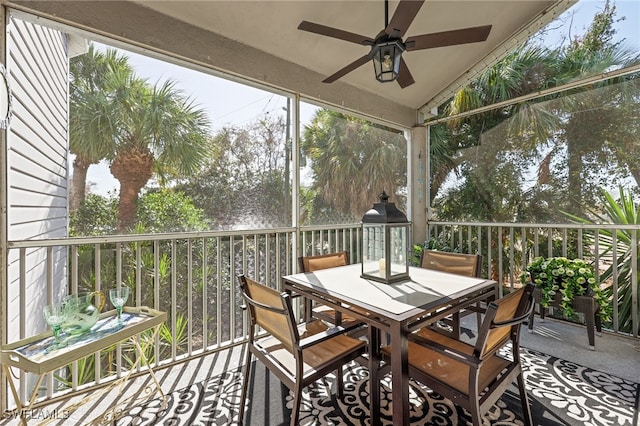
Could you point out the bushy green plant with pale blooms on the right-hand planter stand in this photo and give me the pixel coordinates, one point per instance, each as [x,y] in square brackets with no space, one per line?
[567,278]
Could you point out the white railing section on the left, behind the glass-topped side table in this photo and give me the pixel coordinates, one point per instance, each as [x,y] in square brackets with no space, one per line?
[191,276]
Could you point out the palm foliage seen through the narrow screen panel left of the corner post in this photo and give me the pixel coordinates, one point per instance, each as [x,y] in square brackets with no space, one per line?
[353,161]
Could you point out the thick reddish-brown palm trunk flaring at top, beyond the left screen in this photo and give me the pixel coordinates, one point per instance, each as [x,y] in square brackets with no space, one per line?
[133,169]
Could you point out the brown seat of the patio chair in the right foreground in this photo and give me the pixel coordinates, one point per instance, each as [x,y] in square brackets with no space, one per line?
[448,370]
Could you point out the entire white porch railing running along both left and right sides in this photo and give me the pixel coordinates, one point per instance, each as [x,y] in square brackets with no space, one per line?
[192,277]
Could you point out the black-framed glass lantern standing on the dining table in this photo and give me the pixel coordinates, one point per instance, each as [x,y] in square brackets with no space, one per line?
[385,243]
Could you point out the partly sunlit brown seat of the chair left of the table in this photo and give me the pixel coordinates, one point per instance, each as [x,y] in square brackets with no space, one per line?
[316,356]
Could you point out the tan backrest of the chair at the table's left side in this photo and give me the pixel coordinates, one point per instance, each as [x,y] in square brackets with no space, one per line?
[270,310]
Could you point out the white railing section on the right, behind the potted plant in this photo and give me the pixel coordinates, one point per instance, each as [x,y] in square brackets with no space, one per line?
[507,248]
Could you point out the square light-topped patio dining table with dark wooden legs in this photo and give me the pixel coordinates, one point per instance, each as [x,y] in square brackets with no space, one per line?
[397,309]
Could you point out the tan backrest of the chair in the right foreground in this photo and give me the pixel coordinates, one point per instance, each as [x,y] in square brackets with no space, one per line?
[498,324]
